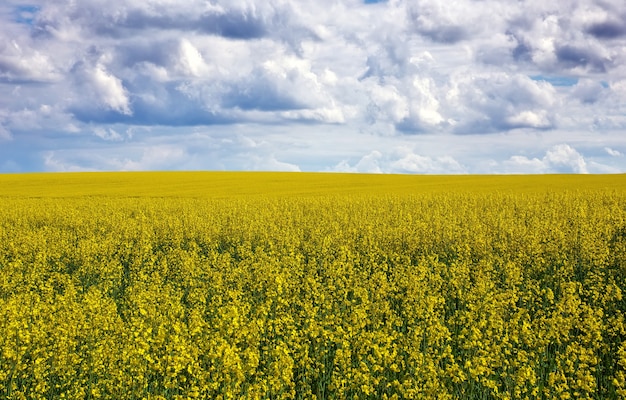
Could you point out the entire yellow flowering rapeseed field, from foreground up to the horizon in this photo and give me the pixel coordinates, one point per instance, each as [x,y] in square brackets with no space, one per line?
[312,286]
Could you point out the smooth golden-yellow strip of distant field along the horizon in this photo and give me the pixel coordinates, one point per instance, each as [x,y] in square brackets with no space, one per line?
[227,184]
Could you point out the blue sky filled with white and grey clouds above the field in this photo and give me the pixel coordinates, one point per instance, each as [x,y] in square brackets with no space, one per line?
[419,86]
